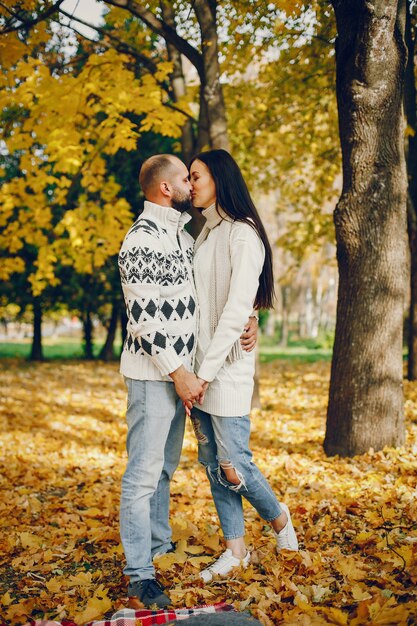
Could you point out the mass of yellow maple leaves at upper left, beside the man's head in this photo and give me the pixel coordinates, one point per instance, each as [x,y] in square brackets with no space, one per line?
[61,129]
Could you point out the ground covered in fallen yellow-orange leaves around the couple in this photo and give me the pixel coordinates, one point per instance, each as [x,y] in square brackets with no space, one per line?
[62,457]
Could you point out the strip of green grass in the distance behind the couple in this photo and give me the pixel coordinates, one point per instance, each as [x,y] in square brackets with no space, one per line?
[72,349]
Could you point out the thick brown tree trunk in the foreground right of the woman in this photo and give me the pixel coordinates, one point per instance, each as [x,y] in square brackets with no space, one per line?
[366,395]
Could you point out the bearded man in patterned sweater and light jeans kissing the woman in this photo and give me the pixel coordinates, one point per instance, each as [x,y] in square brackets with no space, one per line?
[155,264]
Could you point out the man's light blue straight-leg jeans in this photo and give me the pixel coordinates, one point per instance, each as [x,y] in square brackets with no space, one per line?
[155,419]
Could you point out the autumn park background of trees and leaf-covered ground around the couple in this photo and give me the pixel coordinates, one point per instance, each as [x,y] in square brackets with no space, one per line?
[89,91]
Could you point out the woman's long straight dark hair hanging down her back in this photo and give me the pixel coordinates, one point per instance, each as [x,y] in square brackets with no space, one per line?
[233,196]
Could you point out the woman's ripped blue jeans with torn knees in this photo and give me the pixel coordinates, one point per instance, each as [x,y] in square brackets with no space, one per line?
[224,441]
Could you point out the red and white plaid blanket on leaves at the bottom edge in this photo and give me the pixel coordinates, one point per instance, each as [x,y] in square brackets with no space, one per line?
[144,617]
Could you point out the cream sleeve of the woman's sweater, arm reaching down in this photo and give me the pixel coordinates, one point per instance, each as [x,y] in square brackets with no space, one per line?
[247,258]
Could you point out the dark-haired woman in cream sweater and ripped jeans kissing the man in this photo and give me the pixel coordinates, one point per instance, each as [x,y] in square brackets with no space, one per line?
[233,274]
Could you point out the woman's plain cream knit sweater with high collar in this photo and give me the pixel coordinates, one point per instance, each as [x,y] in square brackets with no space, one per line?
[231,384]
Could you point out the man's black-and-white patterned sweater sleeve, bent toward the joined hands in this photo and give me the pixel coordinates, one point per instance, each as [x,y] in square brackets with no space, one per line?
[141,275]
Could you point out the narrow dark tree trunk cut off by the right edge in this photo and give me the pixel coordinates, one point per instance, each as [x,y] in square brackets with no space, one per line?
[410,102]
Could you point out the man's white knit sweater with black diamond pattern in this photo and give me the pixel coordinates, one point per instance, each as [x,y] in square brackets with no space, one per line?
[155,263]
